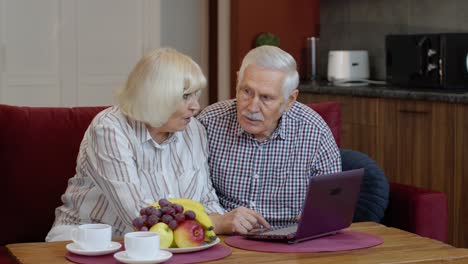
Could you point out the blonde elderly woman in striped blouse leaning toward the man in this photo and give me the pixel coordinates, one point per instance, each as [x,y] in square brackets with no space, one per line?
[146,147]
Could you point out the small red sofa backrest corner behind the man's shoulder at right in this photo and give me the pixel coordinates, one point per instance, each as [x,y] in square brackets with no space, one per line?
[331,114]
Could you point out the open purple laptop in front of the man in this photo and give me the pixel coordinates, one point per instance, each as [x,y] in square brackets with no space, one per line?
[328,208]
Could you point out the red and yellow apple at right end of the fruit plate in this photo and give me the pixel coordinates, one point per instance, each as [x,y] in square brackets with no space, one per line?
[189,234]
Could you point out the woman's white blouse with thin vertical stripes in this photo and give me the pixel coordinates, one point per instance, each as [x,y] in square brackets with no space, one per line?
[121,169]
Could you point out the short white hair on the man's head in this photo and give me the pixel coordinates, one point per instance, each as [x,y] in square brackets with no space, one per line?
[274,58]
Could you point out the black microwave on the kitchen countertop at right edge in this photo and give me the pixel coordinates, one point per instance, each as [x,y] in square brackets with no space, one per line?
[427,60]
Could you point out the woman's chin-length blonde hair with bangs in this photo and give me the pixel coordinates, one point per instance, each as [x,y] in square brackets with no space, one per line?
[156,86]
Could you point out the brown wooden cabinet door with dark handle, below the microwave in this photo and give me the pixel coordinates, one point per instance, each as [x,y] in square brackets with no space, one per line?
[417,139]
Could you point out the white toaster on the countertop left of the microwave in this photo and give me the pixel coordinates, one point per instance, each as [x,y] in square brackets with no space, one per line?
[348,67]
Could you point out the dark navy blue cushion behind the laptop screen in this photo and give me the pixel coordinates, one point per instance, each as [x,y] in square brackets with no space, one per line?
[374,195]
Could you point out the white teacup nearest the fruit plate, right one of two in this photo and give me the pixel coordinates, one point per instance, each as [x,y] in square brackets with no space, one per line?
[142,245]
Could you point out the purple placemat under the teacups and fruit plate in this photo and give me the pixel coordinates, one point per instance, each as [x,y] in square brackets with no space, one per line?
[213,253]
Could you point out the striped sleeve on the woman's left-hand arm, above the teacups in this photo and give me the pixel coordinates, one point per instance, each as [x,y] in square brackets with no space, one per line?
[115,171]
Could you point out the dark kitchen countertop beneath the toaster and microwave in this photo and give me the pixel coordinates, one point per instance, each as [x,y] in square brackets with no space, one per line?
[385,91]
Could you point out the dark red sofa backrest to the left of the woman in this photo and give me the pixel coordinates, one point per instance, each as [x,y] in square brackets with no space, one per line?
[38,150]
